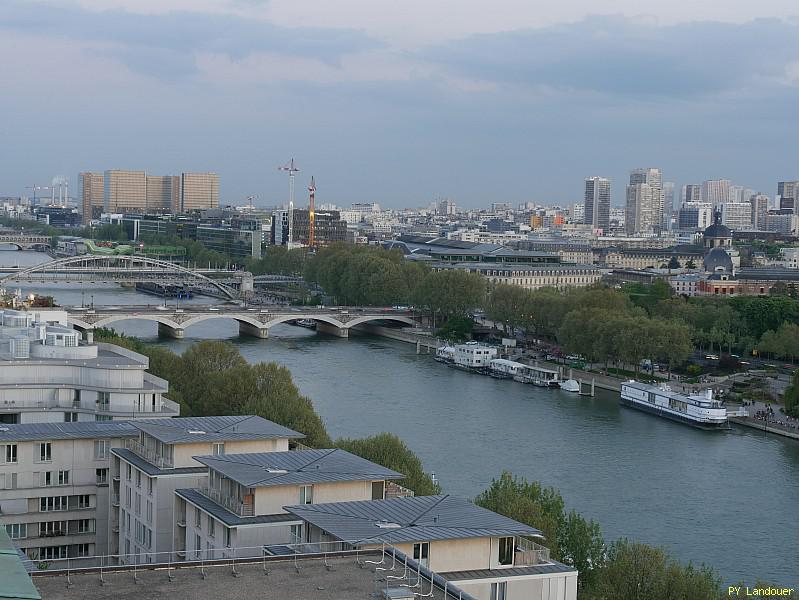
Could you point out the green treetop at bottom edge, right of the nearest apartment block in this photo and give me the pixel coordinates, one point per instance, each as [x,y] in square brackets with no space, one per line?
[635,570]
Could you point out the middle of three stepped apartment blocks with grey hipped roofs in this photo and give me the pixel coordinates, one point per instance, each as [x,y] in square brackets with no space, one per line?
[242,504]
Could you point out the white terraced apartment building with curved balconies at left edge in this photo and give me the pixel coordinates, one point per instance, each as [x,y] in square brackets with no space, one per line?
[47,374]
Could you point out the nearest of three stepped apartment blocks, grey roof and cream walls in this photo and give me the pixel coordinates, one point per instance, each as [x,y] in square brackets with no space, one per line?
[486,555]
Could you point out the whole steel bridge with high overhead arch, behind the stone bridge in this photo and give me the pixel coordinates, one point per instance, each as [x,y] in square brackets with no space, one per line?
[131,270]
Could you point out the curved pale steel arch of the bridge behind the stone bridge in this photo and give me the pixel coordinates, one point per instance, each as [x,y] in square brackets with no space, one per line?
[134,264]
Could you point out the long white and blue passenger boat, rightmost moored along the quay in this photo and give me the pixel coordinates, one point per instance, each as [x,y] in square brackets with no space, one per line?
[702,411]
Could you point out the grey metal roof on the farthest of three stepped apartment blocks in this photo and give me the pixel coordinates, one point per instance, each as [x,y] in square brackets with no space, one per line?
[214,429]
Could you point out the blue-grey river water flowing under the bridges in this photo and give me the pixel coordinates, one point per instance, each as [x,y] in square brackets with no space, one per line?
[727,499]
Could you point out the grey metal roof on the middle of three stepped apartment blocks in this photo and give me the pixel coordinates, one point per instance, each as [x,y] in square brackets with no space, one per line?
[297,468]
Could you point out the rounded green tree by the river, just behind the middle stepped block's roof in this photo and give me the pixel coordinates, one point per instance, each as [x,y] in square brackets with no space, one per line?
[390,451]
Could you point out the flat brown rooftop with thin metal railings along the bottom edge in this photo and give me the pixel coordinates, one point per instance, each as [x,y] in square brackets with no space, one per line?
[345,581]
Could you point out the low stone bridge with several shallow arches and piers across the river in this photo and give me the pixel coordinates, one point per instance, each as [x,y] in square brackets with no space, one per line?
[256,322]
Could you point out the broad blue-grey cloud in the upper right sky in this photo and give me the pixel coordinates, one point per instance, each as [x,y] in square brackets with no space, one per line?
[616,55]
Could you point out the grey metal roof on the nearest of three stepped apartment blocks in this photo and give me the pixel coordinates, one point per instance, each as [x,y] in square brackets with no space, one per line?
[421,518]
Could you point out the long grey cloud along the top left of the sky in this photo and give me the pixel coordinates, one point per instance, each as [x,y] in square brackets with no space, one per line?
[163,44]
